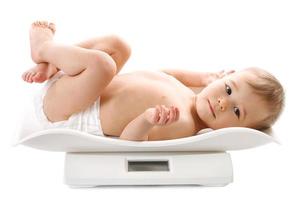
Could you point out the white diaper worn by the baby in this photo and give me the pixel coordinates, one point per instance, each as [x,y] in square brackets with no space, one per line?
[86,121]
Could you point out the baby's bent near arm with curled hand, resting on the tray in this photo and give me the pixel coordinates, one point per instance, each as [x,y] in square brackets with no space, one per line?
[138,128]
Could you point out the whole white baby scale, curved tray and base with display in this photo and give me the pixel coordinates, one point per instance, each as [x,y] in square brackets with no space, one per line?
[96,161]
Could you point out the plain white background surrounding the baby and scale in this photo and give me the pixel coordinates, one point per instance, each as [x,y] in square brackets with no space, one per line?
[199,35]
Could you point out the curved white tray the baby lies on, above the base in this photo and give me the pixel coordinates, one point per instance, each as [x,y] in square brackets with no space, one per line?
[68,140]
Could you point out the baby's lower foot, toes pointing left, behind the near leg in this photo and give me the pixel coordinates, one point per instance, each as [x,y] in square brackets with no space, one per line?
[39,73]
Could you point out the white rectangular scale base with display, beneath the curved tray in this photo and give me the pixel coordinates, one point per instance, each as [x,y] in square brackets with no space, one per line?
[148,168]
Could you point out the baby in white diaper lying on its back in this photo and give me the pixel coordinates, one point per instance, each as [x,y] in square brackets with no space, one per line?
[85,89]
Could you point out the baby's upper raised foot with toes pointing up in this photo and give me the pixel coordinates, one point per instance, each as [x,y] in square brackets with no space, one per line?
[40,32]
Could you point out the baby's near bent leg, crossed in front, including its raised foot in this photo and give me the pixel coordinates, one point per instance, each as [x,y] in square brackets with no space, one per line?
[88,72]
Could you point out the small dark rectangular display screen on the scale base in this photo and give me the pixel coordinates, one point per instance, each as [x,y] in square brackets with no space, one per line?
[145,166]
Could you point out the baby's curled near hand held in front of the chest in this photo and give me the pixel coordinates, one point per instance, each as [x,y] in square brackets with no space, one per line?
[161,115]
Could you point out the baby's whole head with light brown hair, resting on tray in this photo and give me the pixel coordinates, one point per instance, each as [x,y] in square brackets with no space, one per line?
[249,98]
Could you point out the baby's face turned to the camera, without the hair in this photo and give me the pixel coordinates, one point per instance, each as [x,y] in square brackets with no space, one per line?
[229,102]
